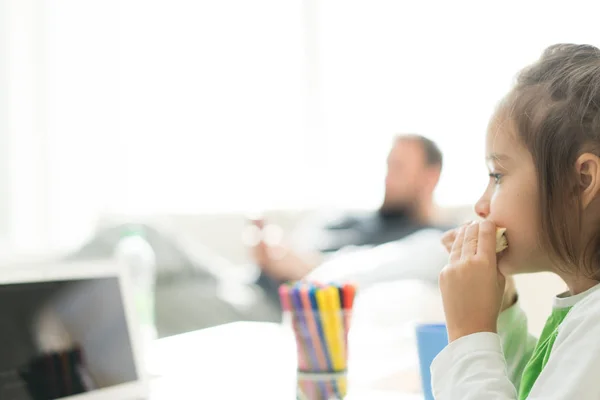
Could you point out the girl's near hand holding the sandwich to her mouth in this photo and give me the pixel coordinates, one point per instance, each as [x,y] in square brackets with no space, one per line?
[471,285]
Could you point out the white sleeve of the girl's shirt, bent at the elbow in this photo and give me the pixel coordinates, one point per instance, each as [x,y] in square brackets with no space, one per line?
[474,367]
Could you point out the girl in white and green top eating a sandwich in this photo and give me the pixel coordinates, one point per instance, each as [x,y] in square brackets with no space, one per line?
[543,155]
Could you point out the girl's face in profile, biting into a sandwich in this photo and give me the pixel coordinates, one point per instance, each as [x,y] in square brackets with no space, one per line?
[511,199]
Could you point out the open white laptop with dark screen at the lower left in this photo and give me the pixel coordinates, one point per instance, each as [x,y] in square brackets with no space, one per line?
[68,331]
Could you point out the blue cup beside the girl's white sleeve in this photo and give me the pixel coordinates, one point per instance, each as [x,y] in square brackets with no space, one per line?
[431,339]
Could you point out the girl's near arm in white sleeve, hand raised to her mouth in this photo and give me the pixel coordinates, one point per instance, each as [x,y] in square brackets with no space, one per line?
[473,365]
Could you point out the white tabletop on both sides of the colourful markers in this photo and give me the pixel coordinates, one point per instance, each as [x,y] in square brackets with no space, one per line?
[257,360]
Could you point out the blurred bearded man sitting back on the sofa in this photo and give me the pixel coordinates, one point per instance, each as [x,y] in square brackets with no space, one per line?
[398,241]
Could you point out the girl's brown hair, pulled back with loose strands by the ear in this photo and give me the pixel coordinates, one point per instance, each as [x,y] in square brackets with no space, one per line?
[555,106]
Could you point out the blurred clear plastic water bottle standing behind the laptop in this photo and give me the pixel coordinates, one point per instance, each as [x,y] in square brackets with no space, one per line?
[136,253]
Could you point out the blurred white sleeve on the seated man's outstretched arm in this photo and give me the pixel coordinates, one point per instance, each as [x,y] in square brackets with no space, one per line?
[417,256]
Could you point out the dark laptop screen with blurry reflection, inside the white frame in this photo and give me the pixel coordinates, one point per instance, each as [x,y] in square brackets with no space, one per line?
[61,338]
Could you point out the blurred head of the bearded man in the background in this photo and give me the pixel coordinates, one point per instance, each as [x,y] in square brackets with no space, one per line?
[414,166]
